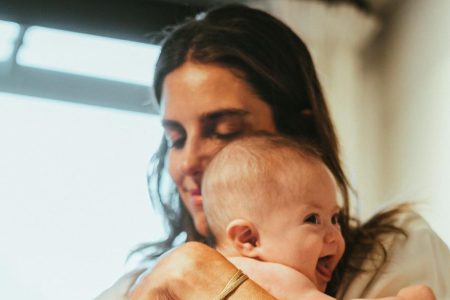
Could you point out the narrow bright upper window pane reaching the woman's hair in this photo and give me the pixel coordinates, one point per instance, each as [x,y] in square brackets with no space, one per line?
[88,55]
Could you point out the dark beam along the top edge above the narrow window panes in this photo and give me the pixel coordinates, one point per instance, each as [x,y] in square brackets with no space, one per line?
[132,19]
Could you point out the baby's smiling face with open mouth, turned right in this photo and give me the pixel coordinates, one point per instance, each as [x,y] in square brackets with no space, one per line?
[303,232]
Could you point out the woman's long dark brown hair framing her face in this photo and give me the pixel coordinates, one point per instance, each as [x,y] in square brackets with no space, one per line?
[277,65]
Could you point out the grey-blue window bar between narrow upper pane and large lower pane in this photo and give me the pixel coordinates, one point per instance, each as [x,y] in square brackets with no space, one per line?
[78,89]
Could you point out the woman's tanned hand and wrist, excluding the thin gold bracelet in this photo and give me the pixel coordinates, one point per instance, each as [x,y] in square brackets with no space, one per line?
[193,271]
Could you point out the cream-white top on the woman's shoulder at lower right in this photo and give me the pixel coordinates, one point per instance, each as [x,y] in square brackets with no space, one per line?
[421,258]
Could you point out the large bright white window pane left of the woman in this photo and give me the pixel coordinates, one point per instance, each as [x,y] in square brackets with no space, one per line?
[73,196]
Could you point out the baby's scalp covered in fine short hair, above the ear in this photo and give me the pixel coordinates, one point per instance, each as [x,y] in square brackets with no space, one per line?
[246,175]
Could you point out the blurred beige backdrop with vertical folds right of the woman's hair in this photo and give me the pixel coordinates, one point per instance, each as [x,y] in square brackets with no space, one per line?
[388,88]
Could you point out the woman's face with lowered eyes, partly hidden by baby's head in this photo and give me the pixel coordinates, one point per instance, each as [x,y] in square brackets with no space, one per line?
[204,107]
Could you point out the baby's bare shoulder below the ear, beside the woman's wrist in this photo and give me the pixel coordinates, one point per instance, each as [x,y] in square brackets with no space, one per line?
[280,281]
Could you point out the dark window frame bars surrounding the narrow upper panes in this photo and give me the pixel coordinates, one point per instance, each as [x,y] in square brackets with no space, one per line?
[125,19]
